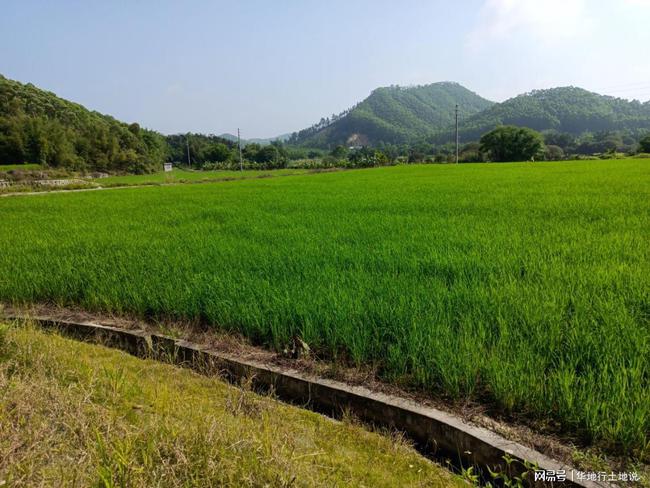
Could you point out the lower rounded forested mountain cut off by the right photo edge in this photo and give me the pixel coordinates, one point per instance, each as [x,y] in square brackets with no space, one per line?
[567,109]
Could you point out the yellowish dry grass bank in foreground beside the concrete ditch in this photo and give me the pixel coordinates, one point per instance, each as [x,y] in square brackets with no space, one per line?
[74,414]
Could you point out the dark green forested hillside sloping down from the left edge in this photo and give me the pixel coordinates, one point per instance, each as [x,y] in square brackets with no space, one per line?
[36,126]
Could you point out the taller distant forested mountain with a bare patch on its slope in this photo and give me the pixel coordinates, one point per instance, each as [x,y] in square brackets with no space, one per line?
[393,115]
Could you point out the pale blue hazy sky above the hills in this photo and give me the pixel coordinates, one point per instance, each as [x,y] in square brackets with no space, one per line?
[271,67]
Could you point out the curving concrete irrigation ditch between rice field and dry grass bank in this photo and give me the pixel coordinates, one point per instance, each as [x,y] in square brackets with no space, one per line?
[435,432]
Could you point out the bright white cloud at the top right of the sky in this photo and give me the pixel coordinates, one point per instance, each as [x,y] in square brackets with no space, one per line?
[548,21]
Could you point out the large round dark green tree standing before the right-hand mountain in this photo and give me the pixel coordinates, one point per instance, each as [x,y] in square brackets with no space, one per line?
[510,143]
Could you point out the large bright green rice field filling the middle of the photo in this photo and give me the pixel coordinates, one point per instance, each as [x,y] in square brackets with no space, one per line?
[521,286]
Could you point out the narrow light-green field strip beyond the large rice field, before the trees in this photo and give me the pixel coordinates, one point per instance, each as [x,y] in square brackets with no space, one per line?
[177,175]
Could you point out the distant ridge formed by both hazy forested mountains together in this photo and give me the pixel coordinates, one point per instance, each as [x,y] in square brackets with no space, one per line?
[401,115]
